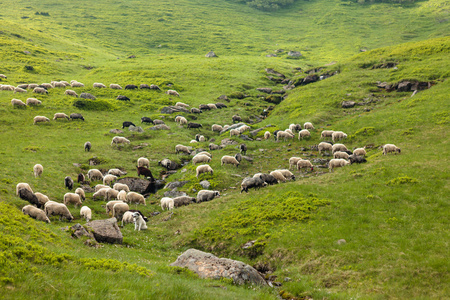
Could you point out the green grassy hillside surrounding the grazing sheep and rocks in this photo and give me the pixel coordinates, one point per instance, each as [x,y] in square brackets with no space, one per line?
[391,211]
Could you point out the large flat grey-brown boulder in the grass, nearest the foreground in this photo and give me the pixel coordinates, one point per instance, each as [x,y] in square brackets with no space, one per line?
[207,265]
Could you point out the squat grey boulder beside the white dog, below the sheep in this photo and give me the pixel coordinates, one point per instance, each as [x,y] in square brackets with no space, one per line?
[105,231]
